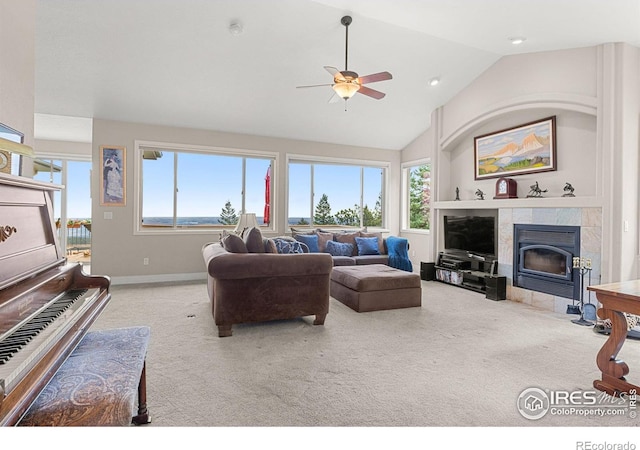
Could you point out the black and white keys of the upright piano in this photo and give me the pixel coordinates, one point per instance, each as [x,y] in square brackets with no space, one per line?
[22,335]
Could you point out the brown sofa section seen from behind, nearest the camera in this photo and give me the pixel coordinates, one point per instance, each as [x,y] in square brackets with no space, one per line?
[255,287]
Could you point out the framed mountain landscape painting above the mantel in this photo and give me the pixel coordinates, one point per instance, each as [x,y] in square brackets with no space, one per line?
[523,149]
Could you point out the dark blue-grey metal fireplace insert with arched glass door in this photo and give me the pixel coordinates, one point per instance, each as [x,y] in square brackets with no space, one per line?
[543,259]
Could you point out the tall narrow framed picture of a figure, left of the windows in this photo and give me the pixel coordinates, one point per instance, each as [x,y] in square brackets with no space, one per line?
[113,176]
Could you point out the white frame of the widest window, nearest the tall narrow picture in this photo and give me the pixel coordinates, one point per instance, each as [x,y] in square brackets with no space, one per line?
[141,145]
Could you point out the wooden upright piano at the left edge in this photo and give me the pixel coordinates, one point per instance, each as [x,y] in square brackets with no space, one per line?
[47,304]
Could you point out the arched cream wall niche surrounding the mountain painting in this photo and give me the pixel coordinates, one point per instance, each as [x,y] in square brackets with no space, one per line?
[576,146]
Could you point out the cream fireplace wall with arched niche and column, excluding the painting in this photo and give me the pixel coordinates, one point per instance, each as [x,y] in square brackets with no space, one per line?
[593,92]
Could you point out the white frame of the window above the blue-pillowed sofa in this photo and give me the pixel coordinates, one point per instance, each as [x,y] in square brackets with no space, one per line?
[327,160]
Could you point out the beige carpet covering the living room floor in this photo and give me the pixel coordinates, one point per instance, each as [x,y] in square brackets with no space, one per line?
[459,360]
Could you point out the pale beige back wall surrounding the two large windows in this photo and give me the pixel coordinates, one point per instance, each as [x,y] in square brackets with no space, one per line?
[117,252]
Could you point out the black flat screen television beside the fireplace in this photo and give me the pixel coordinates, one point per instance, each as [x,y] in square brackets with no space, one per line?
[470,234]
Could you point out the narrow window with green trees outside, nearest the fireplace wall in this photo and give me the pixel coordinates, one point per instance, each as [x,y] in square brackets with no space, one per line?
[417,202]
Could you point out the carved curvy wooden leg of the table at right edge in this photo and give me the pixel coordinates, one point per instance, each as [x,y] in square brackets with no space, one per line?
[613,370]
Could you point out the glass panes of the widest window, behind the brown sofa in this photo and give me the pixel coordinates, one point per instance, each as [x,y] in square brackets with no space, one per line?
[196,188]
